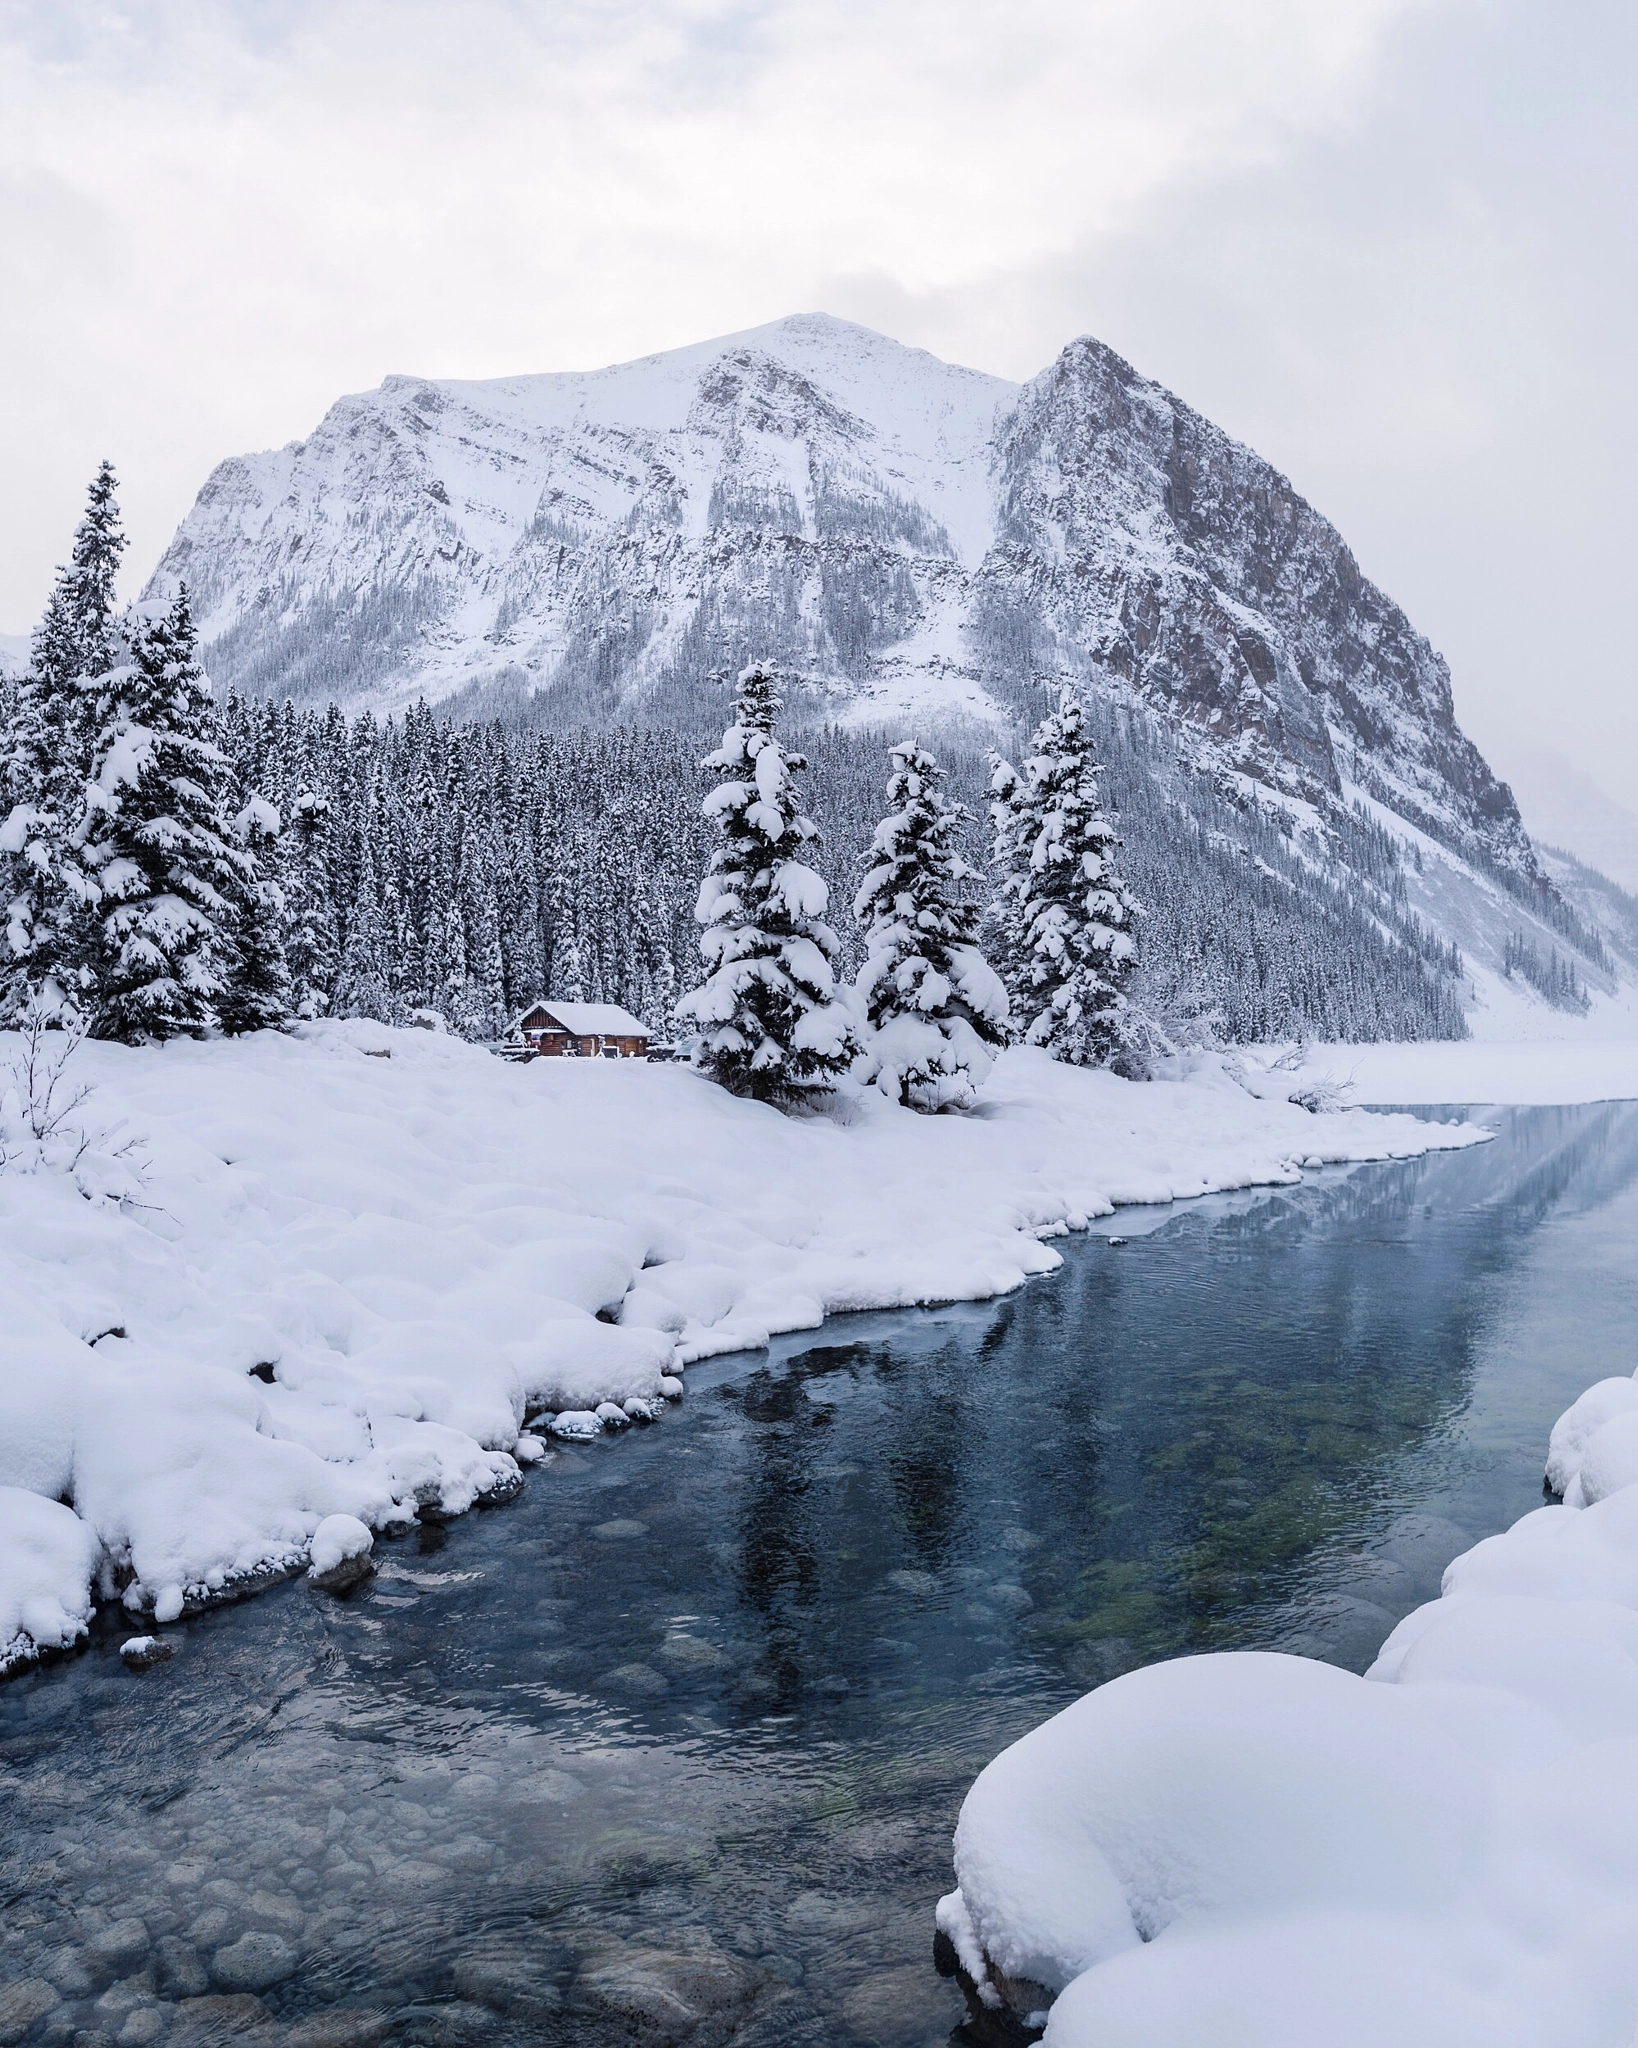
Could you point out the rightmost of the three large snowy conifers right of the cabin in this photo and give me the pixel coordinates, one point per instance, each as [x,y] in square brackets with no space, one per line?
[1064,910]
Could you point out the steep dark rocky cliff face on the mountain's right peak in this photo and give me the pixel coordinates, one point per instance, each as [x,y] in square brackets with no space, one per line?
[1160,552]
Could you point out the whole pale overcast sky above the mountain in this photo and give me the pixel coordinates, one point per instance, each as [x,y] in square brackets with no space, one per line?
[1389,243]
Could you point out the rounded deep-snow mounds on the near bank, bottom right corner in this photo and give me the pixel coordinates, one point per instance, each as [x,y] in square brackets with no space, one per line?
[1250,1848]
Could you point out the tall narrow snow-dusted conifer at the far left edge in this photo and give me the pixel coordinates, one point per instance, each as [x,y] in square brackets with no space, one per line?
[48,765]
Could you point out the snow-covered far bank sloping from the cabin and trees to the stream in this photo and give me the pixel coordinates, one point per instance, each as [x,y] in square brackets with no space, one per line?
[359,1261]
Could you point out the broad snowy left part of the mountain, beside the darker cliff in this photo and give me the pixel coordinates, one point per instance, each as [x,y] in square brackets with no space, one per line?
[605,531]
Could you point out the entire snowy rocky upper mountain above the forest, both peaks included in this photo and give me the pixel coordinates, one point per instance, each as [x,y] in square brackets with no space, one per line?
[914,540]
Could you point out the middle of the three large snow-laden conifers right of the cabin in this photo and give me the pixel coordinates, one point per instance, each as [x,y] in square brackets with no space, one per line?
[937,1007]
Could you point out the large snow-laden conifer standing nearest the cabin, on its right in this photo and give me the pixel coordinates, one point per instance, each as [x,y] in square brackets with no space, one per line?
[767,1017]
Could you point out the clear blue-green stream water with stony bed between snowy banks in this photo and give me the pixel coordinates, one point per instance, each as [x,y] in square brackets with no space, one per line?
[671,1750]
